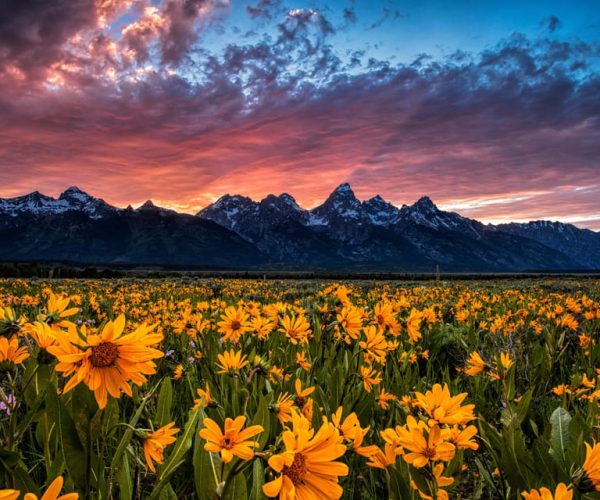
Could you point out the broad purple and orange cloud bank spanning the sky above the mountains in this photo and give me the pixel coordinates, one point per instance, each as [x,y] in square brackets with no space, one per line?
[516,126]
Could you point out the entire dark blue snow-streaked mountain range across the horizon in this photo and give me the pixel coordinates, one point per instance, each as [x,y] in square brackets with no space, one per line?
[276,233]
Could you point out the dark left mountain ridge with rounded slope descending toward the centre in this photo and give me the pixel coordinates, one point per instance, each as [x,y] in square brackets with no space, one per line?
[79,228]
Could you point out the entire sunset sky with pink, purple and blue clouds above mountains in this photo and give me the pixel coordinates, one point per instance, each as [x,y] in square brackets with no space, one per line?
[490,108]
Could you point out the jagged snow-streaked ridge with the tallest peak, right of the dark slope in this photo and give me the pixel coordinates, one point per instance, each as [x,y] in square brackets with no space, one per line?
[375,230]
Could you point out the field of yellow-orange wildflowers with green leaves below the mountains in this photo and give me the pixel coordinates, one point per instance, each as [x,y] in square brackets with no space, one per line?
[235,389]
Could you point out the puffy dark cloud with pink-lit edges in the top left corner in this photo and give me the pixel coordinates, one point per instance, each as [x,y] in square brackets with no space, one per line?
[72,40]
